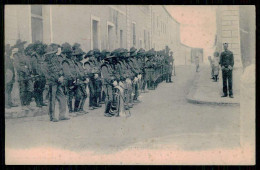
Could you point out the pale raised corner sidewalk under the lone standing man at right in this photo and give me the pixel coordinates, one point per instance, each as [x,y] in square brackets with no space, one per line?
[205,91]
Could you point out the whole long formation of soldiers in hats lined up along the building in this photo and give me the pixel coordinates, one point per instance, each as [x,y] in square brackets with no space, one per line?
[114,78]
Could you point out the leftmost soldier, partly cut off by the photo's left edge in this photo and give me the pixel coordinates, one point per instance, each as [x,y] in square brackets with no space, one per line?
[9,76]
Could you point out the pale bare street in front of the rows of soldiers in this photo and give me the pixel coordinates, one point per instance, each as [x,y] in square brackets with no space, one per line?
[164,119]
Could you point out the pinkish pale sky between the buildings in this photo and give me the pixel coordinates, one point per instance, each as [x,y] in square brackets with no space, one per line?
[197,25]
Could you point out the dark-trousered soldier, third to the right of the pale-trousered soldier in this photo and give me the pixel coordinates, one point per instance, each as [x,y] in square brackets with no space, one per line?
[92,70]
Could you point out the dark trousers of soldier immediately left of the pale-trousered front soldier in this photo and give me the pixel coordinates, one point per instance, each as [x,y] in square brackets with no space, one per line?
[39,87]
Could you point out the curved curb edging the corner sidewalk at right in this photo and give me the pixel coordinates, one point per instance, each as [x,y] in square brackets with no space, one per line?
[193,90]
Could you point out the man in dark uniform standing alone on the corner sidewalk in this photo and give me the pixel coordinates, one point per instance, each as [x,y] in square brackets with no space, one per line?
[227,63]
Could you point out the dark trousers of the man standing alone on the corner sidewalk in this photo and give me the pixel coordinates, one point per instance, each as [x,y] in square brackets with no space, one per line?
[227,81]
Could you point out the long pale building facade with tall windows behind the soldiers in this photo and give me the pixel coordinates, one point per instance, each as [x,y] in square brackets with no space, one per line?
[141,26]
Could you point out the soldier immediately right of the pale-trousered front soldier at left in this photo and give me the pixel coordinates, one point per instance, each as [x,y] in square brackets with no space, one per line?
[70,75]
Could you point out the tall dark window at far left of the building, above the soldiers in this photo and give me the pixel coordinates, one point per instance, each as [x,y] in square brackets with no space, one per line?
[36,23]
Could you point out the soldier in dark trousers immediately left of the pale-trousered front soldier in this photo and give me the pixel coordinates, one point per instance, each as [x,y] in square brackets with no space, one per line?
[38,68]
